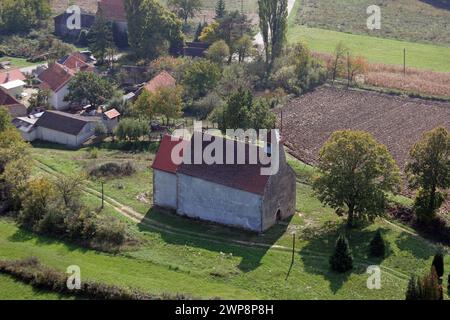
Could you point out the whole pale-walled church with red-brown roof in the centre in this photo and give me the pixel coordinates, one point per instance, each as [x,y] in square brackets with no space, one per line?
[236,195]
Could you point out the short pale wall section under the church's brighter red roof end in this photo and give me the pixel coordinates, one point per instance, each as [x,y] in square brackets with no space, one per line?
[165,189]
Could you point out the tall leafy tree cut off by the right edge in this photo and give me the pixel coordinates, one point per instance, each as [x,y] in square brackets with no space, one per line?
[429,171]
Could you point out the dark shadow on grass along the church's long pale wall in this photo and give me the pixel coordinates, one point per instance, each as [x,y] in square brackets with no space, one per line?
[210,236]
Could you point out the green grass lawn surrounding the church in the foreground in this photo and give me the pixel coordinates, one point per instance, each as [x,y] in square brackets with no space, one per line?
[177,255]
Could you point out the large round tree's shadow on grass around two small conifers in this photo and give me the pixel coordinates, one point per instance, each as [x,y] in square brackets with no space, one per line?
[320,245]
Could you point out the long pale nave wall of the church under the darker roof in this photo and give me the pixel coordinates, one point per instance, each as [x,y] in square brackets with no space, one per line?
[213,202]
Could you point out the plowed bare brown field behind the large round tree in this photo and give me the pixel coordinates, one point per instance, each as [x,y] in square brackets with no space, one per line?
[395,121]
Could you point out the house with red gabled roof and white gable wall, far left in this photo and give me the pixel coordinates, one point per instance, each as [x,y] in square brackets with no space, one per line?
[56,79]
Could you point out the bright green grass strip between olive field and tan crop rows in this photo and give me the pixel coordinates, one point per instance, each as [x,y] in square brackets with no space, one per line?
[388,51]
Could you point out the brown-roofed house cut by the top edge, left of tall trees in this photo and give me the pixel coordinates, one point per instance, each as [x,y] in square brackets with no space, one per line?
[114,11]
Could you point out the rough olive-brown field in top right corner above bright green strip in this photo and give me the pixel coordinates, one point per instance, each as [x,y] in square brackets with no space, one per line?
[410,20]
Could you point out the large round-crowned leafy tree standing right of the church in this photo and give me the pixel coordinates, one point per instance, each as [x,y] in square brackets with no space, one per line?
[356,173]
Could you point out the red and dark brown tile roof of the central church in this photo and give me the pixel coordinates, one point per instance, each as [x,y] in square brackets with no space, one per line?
[246,177]
